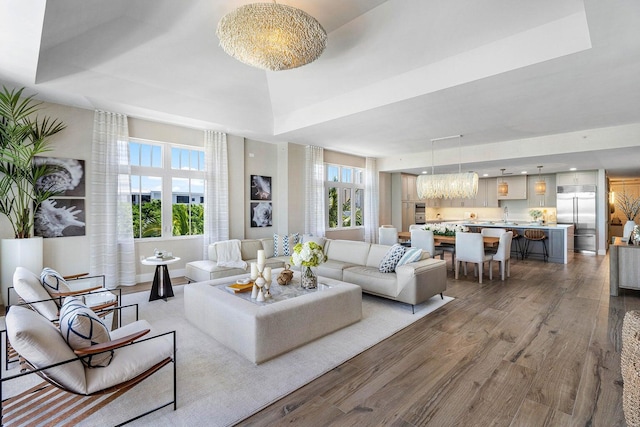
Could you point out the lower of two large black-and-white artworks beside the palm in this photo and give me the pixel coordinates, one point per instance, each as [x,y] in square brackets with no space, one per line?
[60,218]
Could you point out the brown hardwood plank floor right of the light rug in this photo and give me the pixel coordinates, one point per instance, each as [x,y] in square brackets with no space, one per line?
[541,348]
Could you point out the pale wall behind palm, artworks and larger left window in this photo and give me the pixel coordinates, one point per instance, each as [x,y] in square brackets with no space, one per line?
[70,255]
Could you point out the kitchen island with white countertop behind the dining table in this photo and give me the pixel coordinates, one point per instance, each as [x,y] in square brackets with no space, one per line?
[559,238]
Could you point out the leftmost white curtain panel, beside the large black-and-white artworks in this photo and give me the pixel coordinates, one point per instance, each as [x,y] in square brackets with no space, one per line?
[111,223]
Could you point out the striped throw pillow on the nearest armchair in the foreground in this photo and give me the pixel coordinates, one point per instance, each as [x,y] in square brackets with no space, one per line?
[81,328]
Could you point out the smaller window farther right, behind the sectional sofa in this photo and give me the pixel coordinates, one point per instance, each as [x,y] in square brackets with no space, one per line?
[345,196]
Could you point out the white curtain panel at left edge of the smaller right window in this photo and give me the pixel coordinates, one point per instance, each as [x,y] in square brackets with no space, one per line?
[314,191]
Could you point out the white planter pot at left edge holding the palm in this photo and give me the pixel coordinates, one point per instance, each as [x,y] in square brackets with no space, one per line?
[19,253]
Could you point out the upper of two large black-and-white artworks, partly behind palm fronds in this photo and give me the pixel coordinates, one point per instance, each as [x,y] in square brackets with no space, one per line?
[68,177]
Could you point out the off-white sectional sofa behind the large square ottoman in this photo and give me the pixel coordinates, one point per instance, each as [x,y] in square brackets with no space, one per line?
[349,261]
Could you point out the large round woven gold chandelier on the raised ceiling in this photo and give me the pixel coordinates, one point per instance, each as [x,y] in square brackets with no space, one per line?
[271,36]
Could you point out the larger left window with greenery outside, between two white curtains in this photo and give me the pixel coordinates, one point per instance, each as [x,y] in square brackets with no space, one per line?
[167,186]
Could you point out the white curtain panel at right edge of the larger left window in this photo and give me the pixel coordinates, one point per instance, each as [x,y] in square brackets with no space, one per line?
[216,199]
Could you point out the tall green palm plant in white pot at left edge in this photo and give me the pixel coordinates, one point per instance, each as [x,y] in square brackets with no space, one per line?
[23,136]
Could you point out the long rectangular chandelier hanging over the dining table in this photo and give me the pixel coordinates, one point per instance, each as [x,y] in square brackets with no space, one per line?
[447,186]
